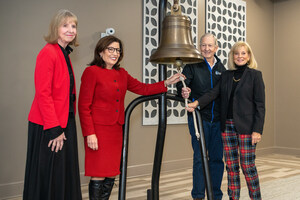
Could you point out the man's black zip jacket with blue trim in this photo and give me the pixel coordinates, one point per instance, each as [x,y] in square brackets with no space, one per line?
[201,79]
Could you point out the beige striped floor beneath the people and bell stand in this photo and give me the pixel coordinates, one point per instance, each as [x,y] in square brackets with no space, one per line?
[279,177]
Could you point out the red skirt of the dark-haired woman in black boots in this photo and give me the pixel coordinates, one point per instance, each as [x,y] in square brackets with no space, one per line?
[105,162]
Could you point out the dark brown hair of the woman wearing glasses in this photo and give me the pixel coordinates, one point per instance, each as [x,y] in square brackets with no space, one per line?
[101,46]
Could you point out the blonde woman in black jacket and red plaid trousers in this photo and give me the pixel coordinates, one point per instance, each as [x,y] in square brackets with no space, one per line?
[242,94]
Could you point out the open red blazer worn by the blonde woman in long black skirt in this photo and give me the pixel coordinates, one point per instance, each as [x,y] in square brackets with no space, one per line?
[50,107]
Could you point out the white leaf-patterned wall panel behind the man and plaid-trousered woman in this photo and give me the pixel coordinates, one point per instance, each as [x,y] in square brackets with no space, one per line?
[226,19]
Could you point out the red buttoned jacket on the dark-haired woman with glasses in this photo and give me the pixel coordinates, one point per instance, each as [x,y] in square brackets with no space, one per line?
[102,94]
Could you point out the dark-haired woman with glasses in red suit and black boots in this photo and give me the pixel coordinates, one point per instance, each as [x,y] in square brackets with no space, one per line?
[101,109]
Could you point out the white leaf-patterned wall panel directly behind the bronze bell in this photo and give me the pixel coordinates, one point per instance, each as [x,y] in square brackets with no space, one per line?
[176,113]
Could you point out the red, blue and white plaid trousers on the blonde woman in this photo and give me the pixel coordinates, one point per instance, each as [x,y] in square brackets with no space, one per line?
[234,144]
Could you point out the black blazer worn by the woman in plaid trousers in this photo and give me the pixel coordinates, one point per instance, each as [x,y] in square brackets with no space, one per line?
[248,100]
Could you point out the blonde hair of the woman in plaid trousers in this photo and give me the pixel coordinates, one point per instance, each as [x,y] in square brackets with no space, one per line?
[251,63]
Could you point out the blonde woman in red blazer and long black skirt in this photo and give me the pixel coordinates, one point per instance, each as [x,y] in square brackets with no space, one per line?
[52,170]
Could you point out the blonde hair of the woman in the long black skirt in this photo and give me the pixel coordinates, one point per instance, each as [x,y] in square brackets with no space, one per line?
[61,17]
